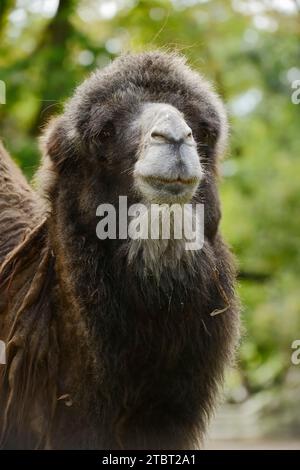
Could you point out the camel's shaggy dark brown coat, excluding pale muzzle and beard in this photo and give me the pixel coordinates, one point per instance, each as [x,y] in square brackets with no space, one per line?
[101,355]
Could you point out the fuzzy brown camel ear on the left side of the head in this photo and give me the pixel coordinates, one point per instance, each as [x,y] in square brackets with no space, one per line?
[57,142]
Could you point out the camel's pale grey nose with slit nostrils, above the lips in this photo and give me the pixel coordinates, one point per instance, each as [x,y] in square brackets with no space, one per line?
[171,128]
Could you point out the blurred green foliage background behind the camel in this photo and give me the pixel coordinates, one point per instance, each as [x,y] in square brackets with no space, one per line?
[251,51]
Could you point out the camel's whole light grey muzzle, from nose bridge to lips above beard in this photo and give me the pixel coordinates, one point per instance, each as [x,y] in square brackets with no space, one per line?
[168,168]
